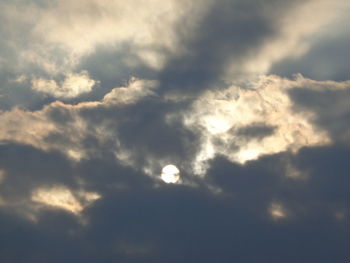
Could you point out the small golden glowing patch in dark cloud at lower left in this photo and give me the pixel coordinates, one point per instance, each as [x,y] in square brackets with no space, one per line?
[63,198]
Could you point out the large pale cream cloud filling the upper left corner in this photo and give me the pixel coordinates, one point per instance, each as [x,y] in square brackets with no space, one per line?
[62,32]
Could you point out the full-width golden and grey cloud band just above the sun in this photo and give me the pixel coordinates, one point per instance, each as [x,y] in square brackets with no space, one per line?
[223,122]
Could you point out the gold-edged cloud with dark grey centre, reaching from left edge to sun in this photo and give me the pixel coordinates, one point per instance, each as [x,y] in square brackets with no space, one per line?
[117,124]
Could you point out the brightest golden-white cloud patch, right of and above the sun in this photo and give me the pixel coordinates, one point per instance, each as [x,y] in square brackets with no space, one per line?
[223,117]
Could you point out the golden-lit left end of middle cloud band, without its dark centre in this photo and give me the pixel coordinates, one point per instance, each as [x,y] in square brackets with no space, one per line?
[66,122]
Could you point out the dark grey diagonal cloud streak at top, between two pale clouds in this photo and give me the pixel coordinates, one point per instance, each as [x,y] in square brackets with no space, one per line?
[230,31]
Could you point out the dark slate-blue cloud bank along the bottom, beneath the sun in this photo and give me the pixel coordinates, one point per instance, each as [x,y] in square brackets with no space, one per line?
[179,223]
